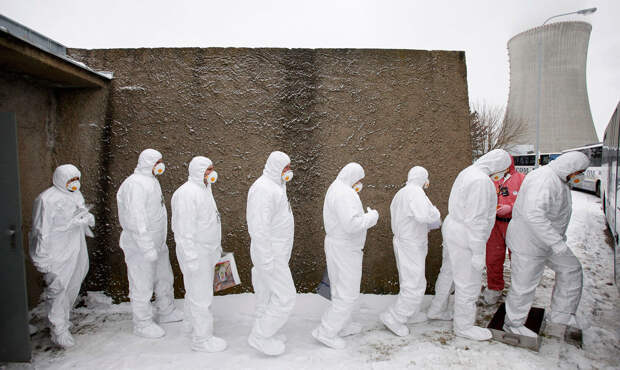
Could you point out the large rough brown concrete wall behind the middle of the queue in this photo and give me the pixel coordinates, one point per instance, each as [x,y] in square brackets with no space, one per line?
[386,109]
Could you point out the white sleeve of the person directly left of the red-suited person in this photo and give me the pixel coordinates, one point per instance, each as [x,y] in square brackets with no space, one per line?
[480,214]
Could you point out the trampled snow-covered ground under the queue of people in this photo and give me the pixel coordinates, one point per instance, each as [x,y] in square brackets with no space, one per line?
[104,339]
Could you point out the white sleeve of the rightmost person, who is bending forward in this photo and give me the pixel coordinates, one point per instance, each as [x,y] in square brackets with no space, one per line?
[536,216]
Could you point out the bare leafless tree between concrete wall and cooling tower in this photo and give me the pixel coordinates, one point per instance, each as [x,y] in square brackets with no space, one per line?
[491,128]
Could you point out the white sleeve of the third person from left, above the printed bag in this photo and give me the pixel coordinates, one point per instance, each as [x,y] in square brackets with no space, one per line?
[185,215]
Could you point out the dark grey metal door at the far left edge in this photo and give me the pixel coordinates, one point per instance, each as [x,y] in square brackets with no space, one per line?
[14,333]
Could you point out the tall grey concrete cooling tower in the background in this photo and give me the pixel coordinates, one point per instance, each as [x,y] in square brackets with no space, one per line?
[565,117]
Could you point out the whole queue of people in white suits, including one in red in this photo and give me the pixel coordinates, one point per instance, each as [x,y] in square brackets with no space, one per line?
[491,206]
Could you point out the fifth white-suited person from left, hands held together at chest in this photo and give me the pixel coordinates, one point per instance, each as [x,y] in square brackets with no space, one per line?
[345,228]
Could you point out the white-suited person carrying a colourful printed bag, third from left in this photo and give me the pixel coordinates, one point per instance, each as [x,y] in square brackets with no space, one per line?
[198,236]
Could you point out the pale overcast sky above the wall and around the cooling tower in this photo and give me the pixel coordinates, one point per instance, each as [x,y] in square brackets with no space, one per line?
[479,27]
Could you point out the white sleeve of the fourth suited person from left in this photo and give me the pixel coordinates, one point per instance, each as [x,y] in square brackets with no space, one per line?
[261,208]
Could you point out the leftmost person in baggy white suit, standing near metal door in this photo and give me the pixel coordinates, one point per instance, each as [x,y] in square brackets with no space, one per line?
[60,222]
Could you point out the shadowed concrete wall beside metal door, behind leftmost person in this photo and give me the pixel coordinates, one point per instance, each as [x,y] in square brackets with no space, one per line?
[54,127]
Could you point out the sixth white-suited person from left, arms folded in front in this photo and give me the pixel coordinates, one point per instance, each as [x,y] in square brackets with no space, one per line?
[413,215]
